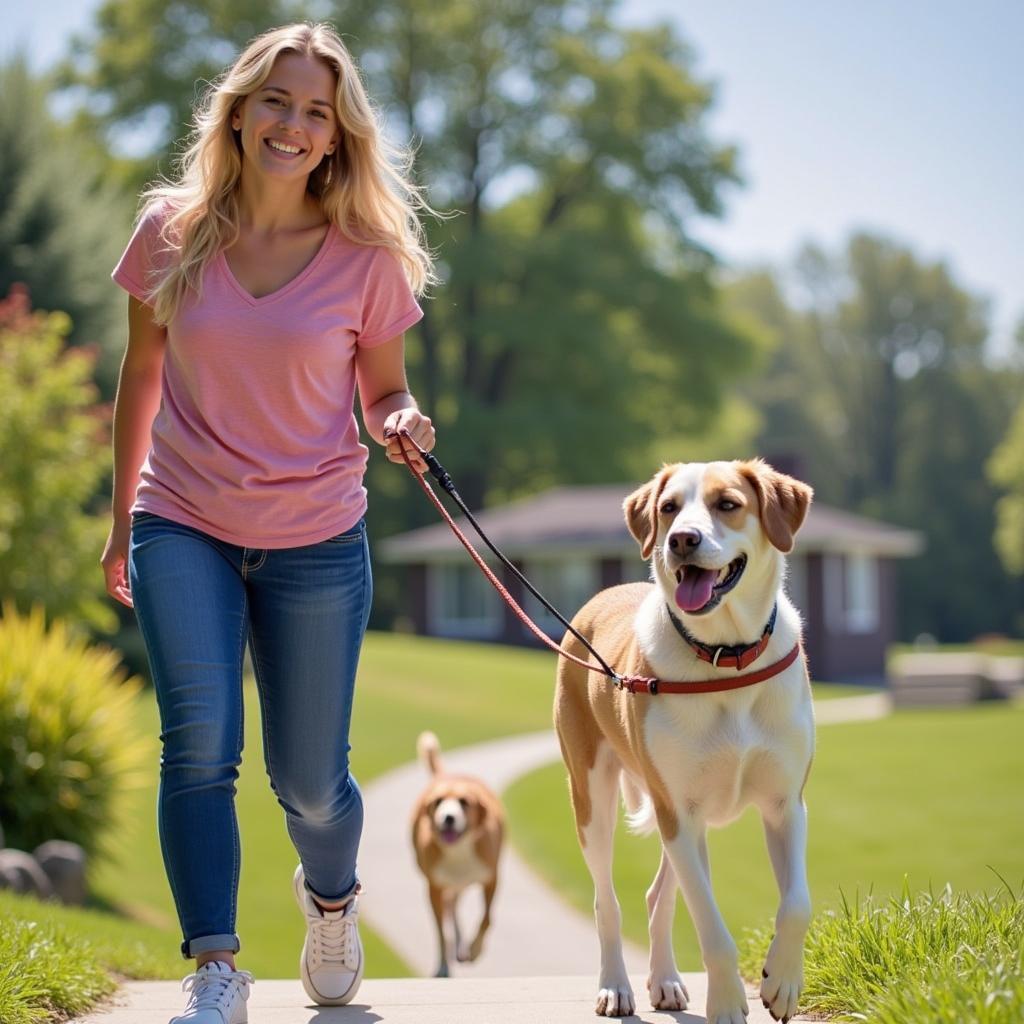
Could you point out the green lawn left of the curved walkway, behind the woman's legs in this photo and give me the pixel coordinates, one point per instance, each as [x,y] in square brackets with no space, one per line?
[464,693]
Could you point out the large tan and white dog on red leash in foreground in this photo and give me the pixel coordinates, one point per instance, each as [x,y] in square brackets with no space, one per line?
[716,535]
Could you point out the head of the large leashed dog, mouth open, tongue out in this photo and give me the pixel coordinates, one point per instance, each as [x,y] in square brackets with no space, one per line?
[715,531]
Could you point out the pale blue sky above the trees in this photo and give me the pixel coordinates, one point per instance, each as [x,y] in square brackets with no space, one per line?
[904,117]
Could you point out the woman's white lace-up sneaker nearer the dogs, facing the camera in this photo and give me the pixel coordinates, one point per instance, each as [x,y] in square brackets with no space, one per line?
[332,956]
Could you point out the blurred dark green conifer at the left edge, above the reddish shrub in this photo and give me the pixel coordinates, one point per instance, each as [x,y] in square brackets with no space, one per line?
[57,216]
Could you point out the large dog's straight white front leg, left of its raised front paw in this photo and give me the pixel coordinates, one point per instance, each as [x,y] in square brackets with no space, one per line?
[727,996]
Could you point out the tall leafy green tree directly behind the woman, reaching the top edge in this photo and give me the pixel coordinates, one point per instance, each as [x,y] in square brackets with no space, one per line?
[577,327]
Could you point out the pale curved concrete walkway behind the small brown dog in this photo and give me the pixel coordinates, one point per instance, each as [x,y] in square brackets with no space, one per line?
[535,931]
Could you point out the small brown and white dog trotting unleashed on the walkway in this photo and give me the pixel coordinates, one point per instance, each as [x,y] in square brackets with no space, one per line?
[458,827]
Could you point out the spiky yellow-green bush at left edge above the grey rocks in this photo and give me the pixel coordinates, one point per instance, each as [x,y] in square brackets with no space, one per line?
[68,741]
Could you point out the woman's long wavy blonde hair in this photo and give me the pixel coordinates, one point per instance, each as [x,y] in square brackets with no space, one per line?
[364,187]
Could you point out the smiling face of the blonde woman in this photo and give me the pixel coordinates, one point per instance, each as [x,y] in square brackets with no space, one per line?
[289,124]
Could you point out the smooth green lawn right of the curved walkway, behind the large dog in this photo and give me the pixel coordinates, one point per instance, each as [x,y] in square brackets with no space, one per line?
[932,796]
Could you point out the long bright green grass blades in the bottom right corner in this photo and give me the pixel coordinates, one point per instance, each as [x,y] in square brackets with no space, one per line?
[951,959]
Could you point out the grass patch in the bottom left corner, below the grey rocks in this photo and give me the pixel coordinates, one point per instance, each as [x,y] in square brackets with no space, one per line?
[57,962]
